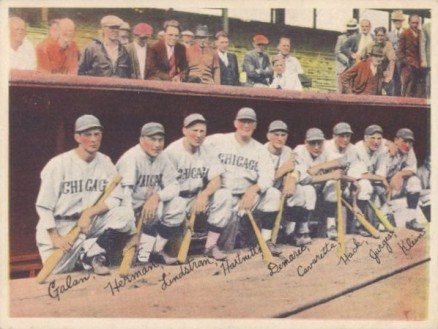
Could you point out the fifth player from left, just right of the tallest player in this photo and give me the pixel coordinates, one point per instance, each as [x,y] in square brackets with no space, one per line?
[286,178]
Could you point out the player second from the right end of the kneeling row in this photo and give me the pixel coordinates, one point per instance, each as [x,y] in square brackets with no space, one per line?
[372,152]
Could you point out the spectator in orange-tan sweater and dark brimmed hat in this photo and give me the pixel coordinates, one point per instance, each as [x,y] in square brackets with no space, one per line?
[203,60]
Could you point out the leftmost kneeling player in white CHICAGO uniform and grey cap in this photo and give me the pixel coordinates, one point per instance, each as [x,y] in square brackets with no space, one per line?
[70,184]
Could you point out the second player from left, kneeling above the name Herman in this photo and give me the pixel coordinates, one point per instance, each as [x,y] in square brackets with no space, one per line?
[149,181]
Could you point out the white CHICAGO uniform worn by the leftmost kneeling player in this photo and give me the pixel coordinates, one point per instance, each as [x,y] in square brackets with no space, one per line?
[68,186]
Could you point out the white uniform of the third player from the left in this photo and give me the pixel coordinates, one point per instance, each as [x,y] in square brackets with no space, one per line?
[194,173]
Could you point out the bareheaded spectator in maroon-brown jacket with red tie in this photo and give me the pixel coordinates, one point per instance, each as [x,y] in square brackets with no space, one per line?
[167,58]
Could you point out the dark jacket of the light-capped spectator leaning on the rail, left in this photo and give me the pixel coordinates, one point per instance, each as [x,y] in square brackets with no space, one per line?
[96,62]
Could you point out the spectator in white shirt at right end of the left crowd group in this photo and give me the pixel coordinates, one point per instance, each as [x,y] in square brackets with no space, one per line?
[292,67]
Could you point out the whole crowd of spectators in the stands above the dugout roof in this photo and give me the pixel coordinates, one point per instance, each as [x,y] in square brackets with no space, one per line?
[390,63]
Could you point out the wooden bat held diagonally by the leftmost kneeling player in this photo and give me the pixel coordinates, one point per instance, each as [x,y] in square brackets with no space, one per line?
[53,260]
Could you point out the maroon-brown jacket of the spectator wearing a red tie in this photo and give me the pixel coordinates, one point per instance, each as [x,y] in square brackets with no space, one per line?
[157,64]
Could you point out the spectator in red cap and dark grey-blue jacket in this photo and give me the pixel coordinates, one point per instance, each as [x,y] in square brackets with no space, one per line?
[256,63]
